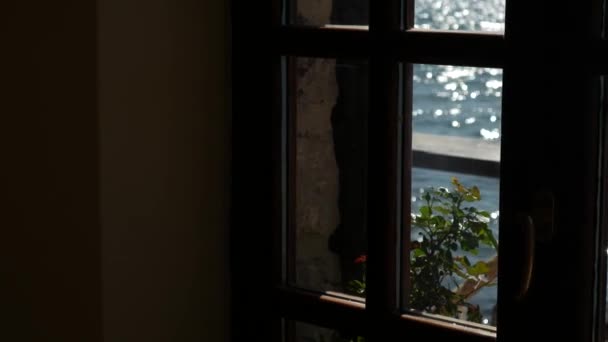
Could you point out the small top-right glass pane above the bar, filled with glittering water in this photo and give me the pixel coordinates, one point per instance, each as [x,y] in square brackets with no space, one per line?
[466,15]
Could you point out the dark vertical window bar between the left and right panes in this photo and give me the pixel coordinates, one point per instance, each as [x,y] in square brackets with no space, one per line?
[382,232]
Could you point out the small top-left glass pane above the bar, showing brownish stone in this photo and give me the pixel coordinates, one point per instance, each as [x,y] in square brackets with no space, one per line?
[329,12]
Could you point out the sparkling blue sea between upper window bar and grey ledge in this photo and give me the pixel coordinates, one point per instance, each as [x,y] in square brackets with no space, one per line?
[457,101]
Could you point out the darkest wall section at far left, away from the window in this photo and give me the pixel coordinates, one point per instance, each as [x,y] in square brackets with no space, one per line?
[50,257]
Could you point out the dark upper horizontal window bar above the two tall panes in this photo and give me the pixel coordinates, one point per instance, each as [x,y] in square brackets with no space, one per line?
[414,46]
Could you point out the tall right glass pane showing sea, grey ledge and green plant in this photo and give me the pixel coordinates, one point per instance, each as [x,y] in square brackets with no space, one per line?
[453,247]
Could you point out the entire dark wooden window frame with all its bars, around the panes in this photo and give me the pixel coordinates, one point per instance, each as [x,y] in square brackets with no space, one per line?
[553,141]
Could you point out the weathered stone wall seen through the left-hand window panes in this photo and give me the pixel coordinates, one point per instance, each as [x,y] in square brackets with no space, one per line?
[331,158]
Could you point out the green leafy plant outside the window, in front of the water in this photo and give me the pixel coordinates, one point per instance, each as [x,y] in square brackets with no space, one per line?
[450,231]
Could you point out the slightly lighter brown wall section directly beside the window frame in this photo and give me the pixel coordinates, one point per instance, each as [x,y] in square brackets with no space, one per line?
[164,169]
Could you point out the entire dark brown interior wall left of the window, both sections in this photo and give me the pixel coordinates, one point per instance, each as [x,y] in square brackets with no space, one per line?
[114,147]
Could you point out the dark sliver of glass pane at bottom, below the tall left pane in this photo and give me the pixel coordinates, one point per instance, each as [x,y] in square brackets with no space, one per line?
[304,332]
